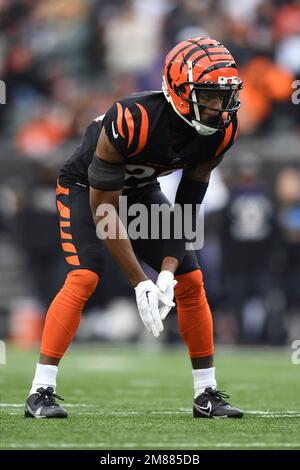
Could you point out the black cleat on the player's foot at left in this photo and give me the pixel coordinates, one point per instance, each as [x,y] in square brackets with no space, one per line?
[42,404]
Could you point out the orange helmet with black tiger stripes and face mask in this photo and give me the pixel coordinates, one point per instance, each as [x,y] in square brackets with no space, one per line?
[200,65]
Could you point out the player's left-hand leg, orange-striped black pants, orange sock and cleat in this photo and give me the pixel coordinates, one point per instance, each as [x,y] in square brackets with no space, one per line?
[84,254]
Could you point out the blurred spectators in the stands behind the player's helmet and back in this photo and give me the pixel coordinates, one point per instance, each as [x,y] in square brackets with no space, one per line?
[65,62]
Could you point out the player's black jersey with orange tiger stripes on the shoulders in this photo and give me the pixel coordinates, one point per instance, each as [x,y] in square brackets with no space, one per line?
[140,128]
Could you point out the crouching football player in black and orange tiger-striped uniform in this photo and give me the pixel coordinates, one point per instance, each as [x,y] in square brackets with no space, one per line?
[188,125]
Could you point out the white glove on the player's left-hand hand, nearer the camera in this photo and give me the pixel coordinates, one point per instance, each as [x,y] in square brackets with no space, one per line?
[147,302]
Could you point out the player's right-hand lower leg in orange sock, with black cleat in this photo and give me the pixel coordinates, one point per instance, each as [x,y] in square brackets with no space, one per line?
[196,328]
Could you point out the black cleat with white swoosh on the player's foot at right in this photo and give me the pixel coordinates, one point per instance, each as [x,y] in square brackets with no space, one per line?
[211,404]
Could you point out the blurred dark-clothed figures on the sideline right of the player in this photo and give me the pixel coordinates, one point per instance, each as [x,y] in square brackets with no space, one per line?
[251,255]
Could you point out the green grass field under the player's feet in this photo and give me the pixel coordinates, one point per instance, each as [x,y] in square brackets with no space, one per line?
[140,398]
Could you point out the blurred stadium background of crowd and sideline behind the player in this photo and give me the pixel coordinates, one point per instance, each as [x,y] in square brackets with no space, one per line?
[64,63]
